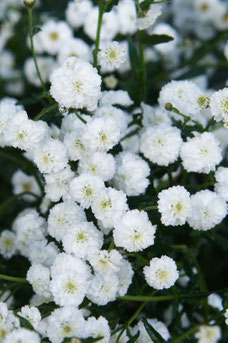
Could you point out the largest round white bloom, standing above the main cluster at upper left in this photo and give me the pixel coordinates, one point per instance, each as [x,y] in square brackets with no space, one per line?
[76,84]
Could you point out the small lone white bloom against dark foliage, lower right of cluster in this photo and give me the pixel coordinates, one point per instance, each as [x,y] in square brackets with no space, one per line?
[161,273]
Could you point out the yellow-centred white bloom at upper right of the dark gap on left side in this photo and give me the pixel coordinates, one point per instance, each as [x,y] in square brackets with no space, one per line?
[50,157]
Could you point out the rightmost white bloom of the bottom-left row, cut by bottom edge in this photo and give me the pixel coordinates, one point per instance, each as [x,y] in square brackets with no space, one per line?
[99,328]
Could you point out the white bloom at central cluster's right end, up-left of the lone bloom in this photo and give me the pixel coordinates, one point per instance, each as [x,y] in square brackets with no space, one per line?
[134,232]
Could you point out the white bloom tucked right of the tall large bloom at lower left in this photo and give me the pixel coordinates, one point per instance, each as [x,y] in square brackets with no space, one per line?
[103,288]
